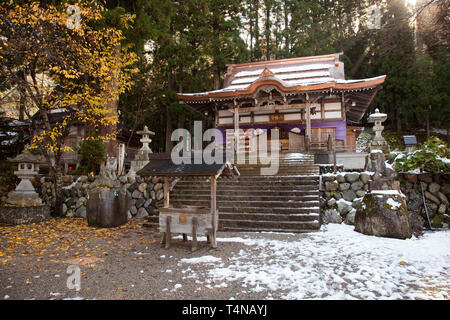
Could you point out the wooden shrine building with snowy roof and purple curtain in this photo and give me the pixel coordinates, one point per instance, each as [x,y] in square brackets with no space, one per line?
[307,99]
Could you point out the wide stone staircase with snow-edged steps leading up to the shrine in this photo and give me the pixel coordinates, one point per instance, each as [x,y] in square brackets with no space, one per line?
[285,202]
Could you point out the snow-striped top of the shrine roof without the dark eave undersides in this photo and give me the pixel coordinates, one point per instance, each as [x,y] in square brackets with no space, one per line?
[304,74]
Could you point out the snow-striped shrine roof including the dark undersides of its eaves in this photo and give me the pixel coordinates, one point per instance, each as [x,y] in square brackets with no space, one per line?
[316,74]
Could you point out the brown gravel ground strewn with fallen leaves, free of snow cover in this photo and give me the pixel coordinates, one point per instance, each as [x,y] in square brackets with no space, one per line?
[132,265]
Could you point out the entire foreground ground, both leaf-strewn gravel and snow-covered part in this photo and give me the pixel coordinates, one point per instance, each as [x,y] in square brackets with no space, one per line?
[129,263]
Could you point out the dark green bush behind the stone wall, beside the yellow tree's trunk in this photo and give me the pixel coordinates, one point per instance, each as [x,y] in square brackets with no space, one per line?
[92,153]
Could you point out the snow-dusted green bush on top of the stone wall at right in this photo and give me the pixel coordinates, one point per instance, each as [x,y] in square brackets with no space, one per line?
[432,156]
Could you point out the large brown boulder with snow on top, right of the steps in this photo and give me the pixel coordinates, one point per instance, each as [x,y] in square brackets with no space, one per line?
[383,215]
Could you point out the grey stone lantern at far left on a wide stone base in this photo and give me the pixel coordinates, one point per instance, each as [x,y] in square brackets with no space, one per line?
[23,205]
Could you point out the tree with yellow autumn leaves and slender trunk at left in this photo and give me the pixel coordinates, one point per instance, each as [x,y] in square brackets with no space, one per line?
[70,66]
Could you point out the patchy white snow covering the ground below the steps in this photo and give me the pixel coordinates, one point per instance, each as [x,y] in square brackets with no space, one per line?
[335,263]
